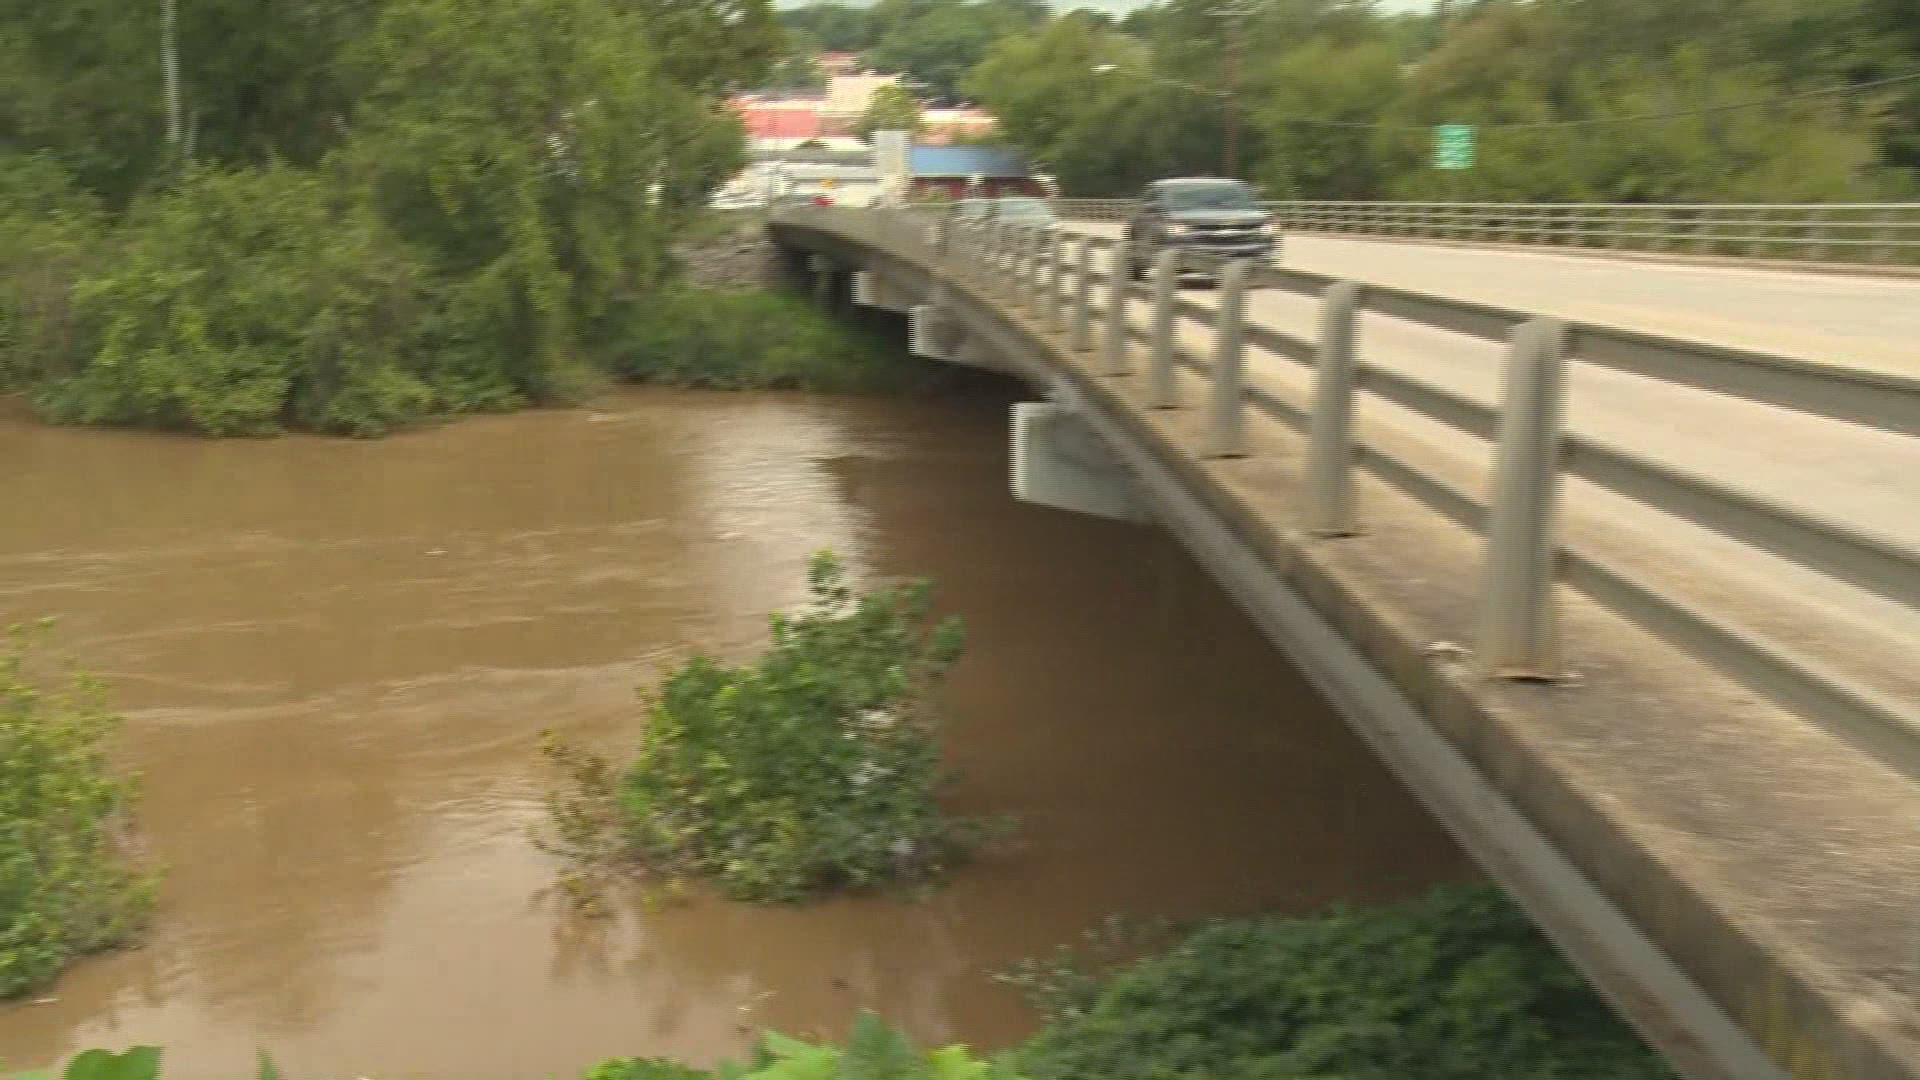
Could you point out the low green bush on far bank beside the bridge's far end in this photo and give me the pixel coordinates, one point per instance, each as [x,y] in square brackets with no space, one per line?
[736,339]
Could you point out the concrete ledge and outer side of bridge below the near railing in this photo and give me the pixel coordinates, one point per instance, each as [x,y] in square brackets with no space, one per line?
[1681,841]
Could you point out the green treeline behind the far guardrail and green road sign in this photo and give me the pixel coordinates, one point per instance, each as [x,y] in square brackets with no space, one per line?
[1633,101]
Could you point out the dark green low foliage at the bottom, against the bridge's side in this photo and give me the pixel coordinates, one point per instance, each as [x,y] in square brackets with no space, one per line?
[1454,987]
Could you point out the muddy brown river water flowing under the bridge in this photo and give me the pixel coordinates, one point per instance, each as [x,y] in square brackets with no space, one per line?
[335,658]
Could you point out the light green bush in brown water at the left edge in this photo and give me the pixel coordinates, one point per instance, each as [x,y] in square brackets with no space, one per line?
[66,881]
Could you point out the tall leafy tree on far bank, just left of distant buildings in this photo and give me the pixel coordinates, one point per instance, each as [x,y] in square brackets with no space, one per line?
[542,162]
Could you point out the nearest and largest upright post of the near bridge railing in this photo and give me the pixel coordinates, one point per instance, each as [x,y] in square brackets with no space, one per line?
[1520,635]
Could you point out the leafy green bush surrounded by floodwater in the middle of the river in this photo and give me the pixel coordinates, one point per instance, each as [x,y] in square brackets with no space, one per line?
[813,770]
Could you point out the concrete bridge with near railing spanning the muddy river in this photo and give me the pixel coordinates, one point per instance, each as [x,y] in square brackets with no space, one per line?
[1637,612]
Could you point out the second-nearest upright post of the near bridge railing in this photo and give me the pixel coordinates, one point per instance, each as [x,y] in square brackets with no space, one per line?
[1332,431]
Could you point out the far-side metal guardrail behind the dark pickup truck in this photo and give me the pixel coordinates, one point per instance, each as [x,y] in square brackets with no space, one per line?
[1869,233]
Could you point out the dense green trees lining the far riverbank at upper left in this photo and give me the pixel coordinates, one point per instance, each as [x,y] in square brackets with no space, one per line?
[347,214]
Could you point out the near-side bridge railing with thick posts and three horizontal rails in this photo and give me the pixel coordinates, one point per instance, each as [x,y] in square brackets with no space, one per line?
[1535,454]
